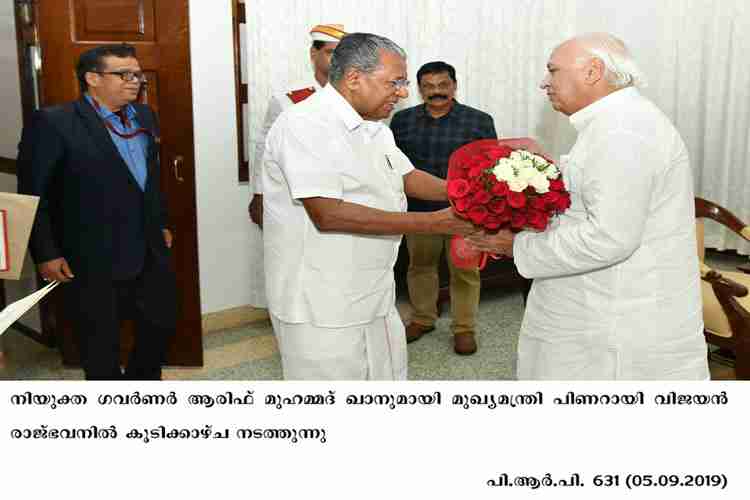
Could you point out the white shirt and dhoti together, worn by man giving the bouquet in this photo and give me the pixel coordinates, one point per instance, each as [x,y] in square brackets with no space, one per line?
[332,281]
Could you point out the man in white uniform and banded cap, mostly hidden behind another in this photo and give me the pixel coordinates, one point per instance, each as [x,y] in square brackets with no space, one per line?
[324,38]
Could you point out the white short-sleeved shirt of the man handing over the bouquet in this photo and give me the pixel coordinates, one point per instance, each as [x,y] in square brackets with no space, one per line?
[321,147]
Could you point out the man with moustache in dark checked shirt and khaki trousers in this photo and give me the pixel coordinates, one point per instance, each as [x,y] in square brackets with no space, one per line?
[428,134]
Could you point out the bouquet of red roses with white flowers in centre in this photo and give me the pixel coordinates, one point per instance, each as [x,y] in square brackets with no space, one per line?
[497,187]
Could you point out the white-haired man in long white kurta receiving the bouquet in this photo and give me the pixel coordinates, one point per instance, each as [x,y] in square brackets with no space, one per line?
[616,292]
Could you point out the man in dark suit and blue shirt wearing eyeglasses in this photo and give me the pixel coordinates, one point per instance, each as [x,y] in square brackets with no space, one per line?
[101,226]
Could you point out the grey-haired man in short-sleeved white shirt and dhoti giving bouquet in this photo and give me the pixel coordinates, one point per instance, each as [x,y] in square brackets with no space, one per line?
[335,187]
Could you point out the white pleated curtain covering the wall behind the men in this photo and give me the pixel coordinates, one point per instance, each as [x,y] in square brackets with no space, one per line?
[691,51]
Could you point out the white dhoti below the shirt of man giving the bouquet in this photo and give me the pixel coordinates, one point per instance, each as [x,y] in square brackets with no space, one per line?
[373,351]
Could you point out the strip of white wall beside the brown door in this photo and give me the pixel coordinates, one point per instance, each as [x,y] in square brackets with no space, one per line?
[223,225]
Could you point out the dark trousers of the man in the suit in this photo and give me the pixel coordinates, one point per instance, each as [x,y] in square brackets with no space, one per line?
[98,307]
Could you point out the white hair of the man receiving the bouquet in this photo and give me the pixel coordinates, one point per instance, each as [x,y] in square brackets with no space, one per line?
[621,69]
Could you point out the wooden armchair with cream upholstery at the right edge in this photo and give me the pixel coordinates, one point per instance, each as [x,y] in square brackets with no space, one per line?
[726,304]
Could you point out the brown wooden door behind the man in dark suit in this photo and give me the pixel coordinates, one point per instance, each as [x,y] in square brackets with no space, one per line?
[159,31]
